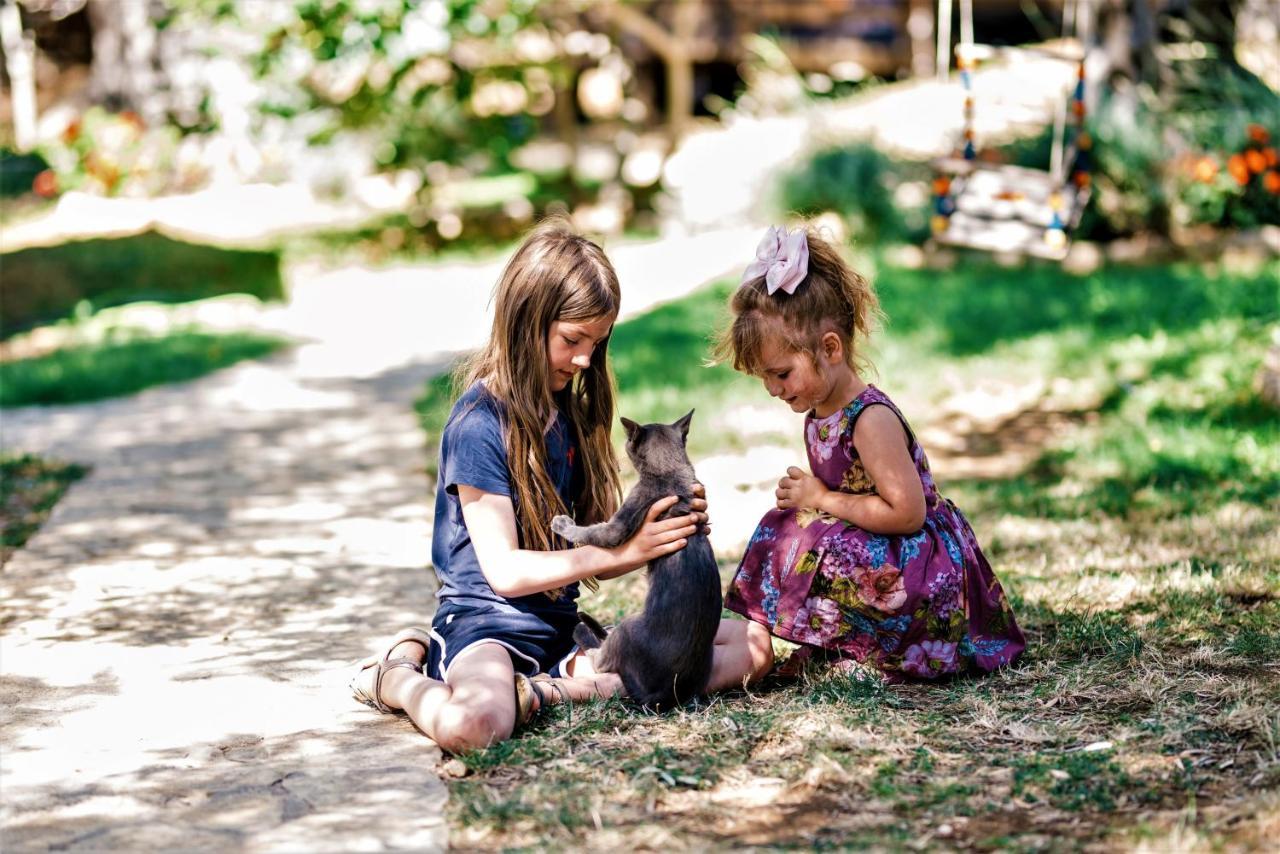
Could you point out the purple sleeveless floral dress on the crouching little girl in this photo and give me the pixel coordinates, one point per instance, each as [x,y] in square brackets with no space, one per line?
[924,605]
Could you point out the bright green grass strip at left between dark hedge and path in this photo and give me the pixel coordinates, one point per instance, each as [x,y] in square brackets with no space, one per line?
[124,364]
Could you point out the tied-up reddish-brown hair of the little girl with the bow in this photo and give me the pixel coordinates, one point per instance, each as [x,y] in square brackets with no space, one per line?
[833,298]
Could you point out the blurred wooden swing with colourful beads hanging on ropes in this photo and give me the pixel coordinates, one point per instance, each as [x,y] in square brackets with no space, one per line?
[1003,208]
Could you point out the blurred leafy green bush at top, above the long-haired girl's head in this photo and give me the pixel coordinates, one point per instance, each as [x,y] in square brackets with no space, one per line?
[438,83]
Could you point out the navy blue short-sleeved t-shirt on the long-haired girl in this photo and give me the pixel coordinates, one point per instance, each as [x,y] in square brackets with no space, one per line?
[474,453]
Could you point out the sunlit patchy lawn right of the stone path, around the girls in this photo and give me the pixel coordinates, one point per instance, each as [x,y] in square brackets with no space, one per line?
[1141,549]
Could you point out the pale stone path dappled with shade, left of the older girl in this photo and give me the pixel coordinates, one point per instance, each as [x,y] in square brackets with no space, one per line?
[176,642]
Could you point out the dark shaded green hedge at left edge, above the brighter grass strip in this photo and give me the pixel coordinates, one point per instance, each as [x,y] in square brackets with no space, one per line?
[42,285]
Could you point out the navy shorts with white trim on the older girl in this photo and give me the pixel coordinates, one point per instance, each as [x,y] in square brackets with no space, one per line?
[537,645]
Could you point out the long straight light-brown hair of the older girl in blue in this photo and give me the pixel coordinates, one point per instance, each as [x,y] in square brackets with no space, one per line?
[556,275]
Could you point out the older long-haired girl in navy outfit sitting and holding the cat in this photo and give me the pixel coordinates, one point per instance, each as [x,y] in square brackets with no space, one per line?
[527,441]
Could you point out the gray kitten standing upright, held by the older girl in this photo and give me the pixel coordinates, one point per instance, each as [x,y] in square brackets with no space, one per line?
[665,654]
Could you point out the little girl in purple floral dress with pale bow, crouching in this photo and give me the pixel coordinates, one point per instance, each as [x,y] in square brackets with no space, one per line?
[862,560]
